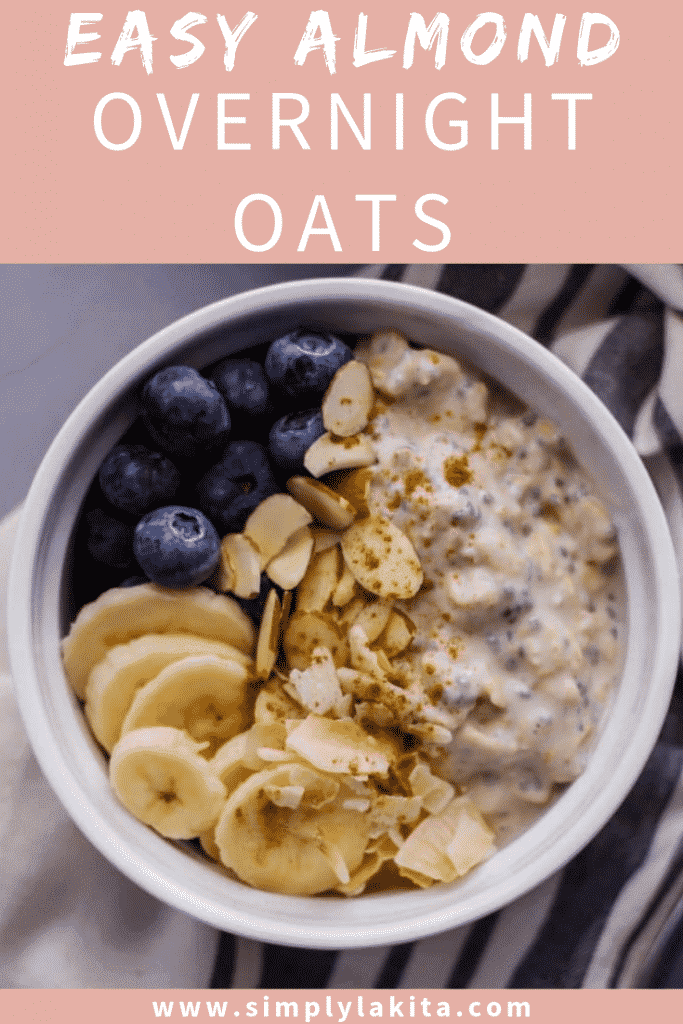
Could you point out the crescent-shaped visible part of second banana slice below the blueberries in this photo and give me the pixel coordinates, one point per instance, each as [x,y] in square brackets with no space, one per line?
[115,681]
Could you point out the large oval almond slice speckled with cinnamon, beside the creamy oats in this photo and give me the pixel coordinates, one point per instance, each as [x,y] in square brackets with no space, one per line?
[382,559]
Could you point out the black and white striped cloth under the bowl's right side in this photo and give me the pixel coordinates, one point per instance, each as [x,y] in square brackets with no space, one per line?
[614,917]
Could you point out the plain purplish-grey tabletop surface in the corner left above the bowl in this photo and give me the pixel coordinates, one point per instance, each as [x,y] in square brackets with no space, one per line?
[62,327]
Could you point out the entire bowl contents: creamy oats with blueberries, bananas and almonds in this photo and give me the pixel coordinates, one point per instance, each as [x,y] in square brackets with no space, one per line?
[362,656]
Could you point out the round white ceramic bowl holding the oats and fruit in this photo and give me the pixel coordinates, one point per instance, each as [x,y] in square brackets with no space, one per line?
[76,767]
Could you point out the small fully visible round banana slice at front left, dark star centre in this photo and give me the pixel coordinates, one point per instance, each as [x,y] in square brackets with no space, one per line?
[160,777]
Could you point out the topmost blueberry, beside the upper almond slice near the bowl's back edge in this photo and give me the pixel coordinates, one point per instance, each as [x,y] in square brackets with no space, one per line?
[302,365]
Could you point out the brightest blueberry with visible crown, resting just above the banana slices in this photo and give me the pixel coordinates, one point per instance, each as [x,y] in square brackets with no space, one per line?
[177,546]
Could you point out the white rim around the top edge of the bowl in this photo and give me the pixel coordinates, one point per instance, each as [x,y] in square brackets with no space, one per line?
[328,933]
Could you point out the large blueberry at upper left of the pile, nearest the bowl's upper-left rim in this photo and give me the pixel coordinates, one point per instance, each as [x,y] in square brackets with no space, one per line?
[184,412]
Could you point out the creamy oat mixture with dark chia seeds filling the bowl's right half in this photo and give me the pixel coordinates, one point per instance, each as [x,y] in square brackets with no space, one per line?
[520,622]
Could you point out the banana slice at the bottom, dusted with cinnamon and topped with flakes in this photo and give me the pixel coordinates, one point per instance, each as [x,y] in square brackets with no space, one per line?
[285,831]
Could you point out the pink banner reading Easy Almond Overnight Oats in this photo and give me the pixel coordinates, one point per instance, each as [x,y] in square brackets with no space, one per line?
[355,134]
